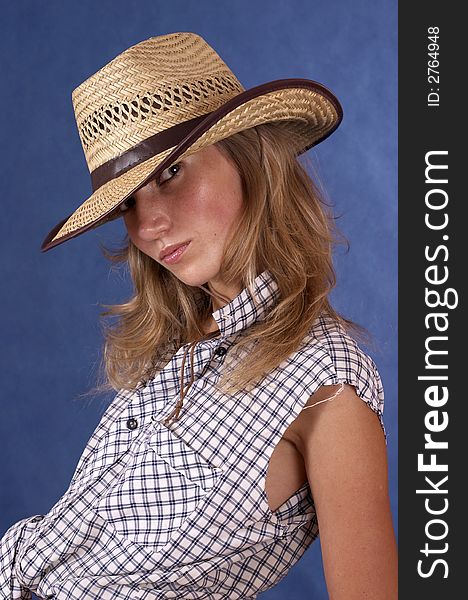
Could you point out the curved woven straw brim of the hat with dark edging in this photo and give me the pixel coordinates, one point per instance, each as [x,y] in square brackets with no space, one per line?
[307,109]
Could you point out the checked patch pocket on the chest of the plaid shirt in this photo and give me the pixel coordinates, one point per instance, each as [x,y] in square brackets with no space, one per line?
[162,486]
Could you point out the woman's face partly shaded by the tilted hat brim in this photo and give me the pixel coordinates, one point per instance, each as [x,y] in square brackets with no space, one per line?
[183,220]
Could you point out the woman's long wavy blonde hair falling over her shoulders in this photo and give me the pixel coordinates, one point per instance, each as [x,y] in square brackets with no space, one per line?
[286,227]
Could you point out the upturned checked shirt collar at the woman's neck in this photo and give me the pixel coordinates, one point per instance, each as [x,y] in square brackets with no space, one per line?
[249,306]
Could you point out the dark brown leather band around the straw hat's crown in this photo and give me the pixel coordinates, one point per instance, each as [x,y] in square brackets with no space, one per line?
[143,151]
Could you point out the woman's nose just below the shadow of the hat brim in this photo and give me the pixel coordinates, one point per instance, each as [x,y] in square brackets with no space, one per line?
[151,218]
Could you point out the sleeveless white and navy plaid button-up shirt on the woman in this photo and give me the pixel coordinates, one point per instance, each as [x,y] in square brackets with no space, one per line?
[158,512]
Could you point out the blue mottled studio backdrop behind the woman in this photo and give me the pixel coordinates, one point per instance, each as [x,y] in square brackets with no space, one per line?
[50,338]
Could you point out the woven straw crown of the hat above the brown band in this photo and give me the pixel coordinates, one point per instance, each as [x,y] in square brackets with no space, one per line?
[154,85]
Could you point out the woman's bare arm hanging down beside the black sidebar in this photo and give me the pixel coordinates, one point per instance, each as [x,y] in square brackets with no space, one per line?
[345,457]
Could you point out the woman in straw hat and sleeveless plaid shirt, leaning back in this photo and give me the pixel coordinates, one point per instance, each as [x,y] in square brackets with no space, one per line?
[242,421]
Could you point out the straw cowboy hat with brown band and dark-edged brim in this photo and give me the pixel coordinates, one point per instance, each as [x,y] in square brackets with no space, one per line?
[164,99]
